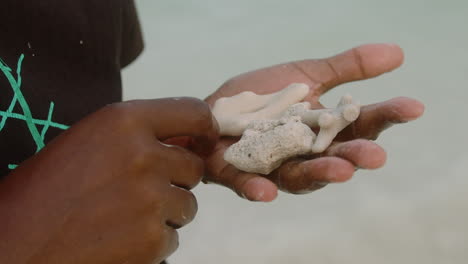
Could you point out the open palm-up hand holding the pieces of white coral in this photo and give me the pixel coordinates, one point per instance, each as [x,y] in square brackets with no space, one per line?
[351,149]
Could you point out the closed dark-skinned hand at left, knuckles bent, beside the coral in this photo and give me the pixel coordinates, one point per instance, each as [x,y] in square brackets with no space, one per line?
[107,190]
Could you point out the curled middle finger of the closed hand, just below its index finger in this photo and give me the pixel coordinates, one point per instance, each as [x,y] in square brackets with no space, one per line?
[185,168]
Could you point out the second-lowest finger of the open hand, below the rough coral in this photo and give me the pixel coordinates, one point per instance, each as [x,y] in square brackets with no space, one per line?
[304,176]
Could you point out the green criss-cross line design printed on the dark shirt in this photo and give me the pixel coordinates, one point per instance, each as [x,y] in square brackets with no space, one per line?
[26,116]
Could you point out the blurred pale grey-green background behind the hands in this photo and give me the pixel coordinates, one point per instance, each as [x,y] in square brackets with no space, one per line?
[414,210]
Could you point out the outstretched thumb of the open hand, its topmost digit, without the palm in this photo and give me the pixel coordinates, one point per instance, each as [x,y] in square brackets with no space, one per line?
[363,62]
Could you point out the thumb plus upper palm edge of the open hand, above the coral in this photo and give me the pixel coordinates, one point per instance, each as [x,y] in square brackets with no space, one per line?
[321,75]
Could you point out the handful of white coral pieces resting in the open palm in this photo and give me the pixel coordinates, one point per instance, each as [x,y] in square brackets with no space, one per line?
[275,127]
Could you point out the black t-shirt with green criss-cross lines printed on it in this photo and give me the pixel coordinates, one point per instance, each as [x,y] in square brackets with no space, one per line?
[60,60]
